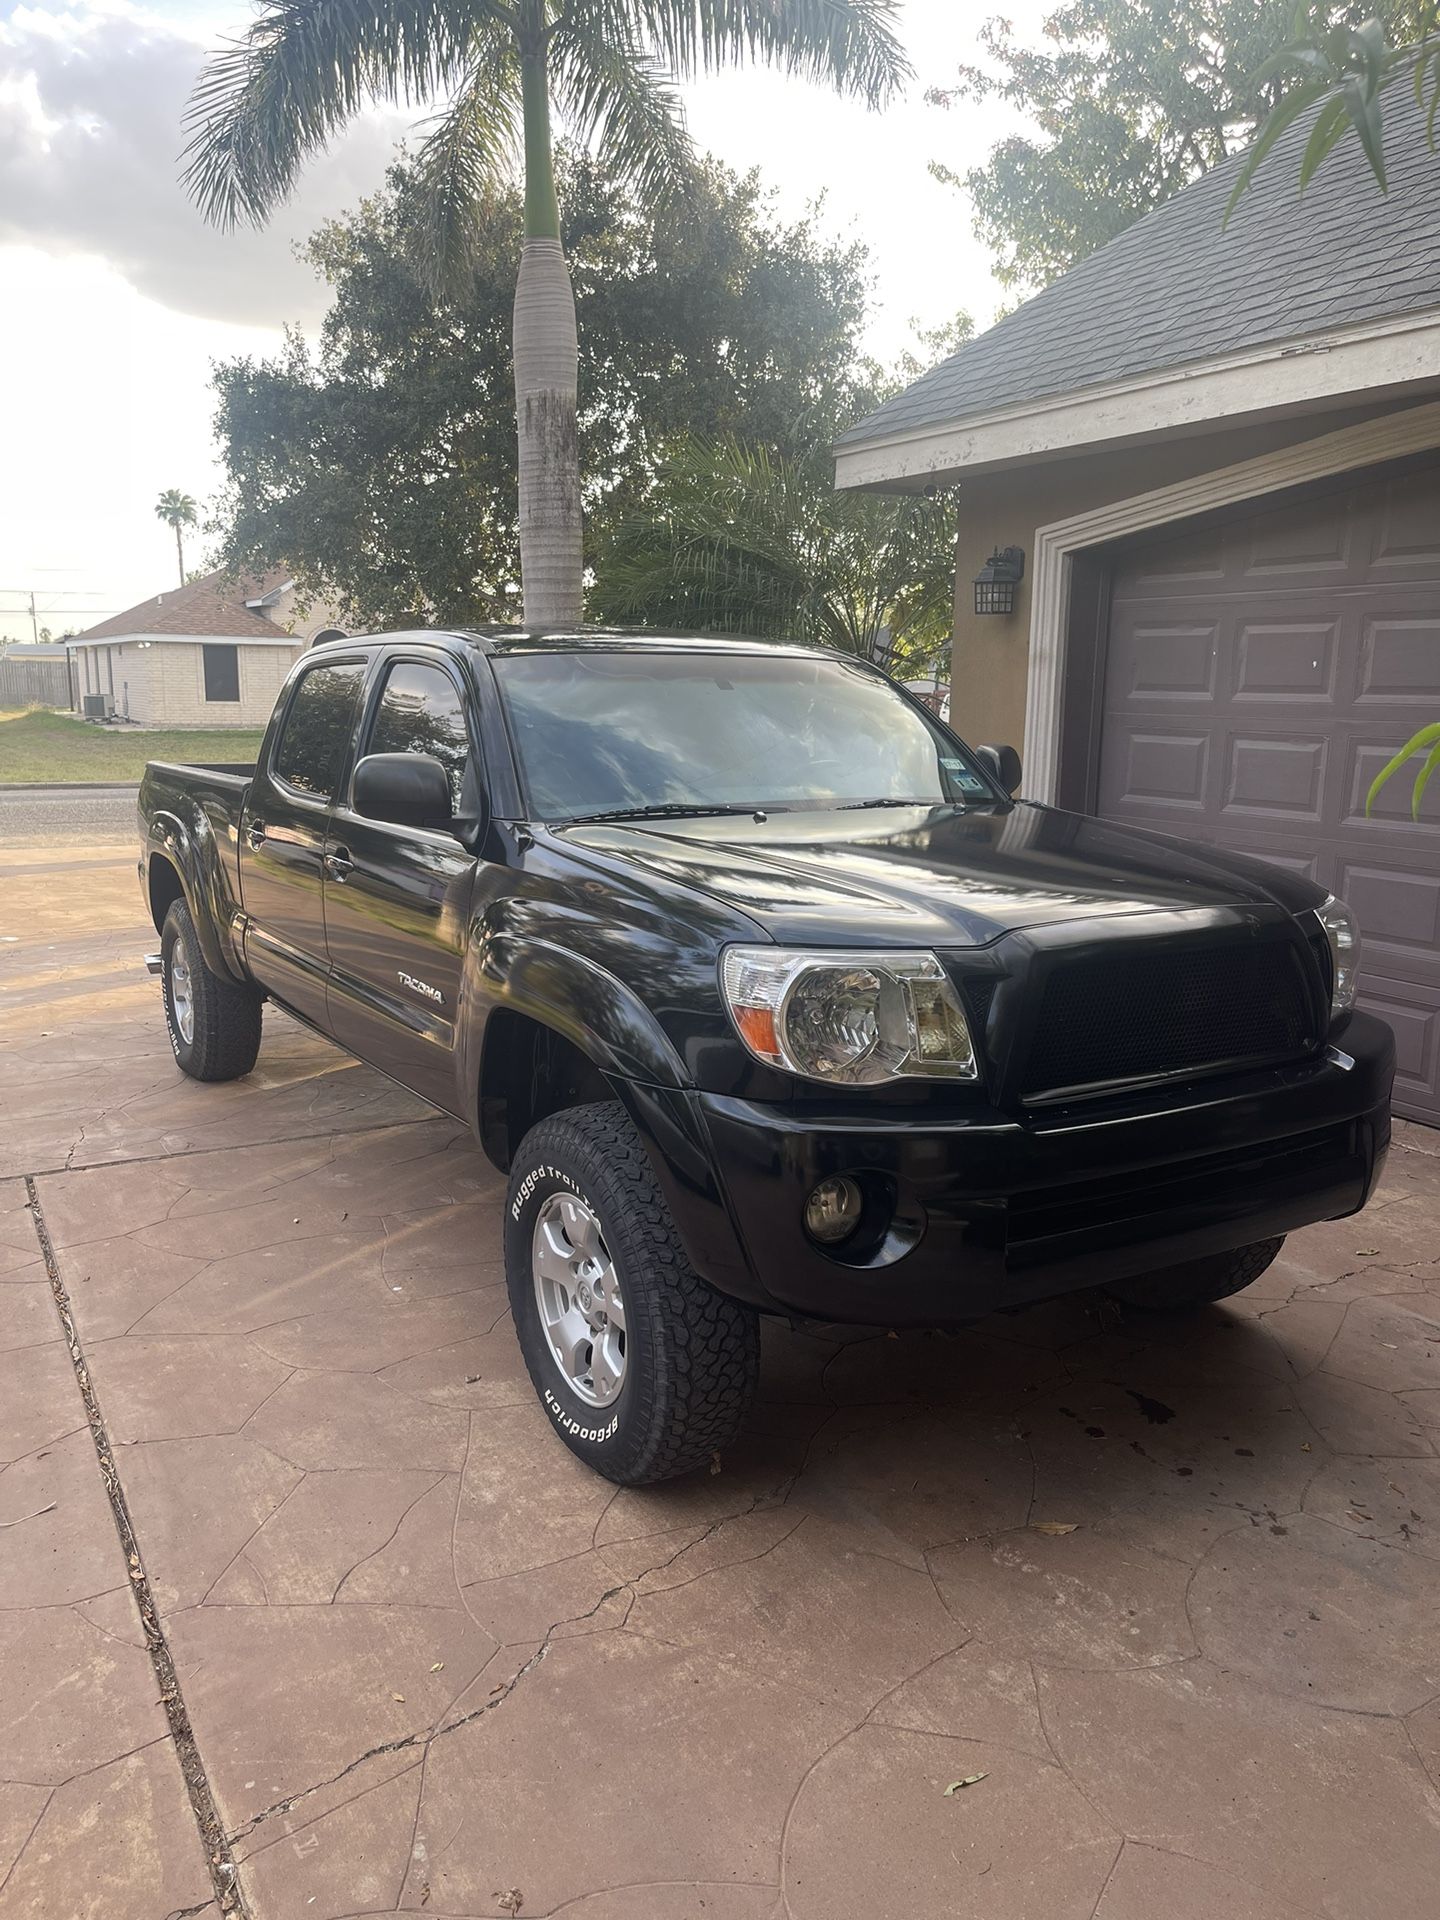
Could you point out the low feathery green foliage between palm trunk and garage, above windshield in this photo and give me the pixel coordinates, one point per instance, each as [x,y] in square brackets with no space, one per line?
[738,540]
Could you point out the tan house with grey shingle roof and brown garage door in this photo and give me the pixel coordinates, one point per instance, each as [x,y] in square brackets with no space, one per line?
[1218,452]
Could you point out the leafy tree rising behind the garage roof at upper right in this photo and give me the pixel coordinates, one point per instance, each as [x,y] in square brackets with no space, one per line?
[1130,103]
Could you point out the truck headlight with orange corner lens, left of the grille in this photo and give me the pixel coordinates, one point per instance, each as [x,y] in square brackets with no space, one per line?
[848,1017]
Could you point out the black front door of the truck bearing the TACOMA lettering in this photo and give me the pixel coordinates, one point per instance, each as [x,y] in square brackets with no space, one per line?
[398,900]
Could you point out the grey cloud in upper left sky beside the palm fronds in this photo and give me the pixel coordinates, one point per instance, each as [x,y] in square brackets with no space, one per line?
[91,105]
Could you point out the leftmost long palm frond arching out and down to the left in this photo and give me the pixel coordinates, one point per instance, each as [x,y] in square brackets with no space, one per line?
[272,99]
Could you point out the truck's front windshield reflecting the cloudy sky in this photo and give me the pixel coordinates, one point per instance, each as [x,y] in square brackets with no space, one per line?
[673,732]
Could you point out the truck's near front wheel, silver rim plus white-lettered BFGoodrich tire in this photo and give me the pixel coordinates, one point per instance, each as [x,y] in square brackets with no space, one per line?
[642,1368]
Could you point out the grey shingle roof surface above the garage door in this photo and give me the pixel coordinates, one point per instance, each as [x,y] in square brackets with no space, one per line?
[1180,289]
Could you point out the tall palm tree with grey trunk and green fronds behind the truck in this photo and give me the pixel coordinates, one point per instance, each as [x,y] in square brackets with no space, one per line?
[308,66]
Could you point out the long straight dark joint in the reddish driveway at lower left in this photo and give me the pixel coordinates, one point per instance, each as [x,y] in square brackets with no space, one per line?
[214,1842]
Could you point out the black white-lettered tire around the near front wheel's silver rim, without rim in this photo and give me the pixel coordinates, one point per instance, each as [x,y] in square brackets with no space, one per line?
[692,1355]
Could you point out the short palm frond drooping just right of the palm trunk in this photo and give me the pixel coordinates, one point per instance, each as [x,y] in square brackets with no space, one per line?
[623,99]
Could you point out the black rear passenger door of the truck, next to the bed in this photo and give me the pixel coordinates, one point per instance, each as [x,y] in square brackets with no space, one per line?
[283,836]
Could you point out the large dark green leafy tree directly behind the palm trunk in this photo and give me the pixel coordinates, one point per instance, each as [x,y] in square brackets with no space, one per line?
[381,464]
